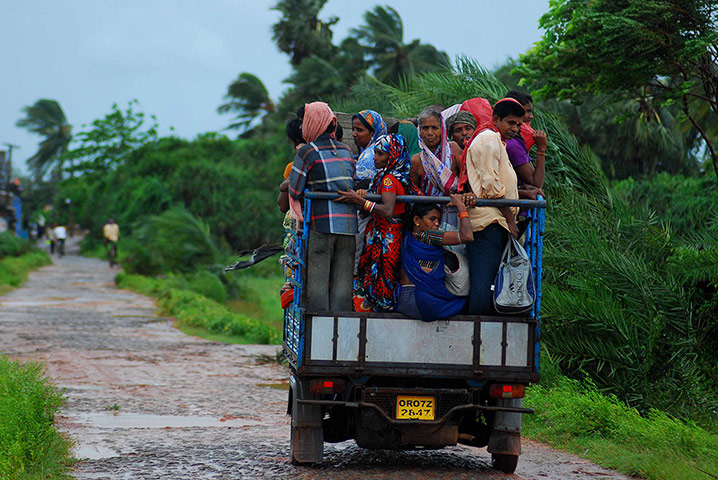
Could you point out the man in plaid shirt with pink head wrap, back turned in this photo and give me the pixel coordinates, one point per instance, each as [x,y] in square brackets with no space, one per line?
[325,165]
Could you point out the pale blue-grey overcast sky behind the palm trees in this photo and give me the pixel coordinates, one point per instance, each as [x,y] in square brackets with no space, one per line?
[177,57]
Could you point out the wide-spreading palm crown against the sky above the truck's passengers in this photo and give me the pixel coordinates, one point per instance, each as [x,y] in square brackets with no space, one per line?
[392,59]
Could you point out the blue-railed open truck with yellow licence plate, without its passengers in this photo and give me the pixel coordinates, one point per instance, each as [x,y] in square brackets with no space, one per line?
[390,382]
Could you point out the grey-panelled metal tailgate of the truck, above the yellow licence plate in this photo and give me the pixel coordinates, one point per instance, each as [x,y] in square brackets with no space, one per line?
[503,348]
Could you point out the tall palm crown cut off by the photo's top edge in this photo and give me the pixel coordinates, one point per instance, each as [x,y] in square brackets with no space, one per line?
[300,33]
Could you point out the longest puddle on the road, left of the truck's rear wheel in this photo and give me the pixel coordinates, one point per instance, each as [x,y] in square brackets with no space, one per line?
[138,420]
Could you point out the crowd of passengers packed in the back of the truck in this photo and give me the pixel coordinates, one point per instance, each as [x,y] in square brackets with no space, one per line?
[422,260]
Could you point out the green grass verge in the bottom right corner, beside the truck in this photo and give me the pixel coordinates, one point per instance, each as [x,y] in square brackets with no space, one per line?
[575,417]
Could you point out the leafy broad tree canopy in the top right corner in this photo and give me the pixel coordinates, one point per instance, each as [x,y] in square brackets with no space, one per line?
[649,51]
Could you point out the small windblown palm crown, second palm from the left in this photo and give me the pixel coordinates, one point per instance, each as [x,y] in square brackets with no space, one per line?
[247,97]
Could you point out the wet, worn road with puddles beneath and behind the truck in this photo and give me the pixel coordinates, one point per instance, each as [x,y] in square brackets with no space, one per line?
[145,401]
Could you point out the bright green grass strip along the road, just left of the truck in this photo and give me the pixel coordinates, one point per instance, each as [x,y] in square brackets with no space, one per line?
[194,310]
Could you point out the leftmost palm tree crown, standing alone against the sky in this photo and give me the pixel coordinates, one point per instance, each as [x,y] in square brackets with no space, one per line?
[46,118]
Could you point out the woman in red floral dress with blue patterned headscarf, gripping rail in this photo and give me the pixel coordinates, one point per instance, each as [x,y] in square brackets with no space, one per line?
[378,271]
